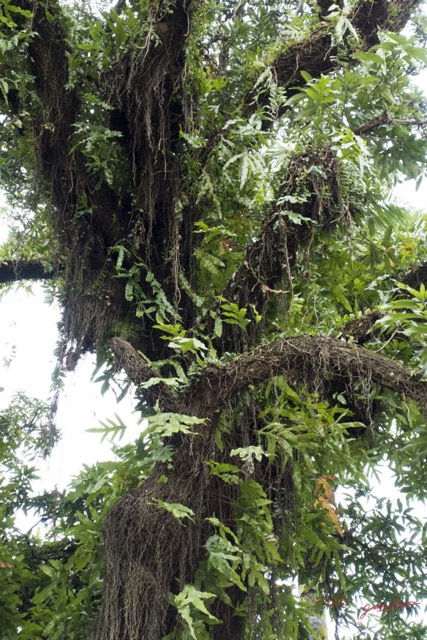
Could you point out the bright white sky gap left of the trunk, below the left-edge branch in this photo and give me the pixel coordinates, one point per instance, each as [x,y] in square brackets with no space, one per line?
[28,336]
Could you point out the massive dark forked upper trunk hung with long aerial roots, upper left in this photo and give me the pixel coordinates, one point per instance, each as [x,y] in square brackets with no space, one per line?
[145,91]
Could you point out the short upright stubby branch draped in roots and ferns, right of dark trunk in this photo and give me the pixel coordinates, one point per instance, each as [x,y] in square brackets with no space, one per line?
[266,271]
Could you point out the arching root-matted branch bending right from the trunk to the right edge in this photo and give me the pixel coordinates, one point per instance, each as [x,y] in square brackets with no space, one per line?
[311,360]
